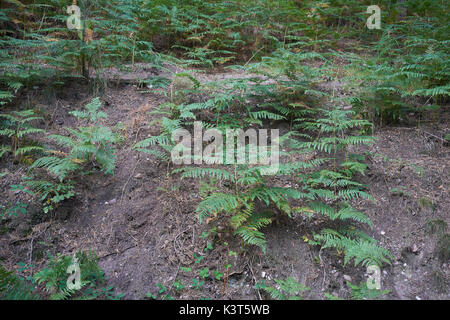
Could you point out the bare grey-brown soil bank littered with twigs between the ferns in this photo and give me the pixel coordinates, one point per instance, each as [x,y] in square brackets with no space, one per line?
[143,226]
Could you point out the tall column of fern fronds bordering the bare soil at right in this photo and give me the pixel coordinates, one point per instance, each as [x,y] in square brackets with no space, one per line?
[331,190]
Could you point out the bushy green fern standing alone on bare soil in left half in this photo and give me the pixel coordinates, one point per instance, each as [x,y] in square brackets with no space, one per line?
[87,146]
